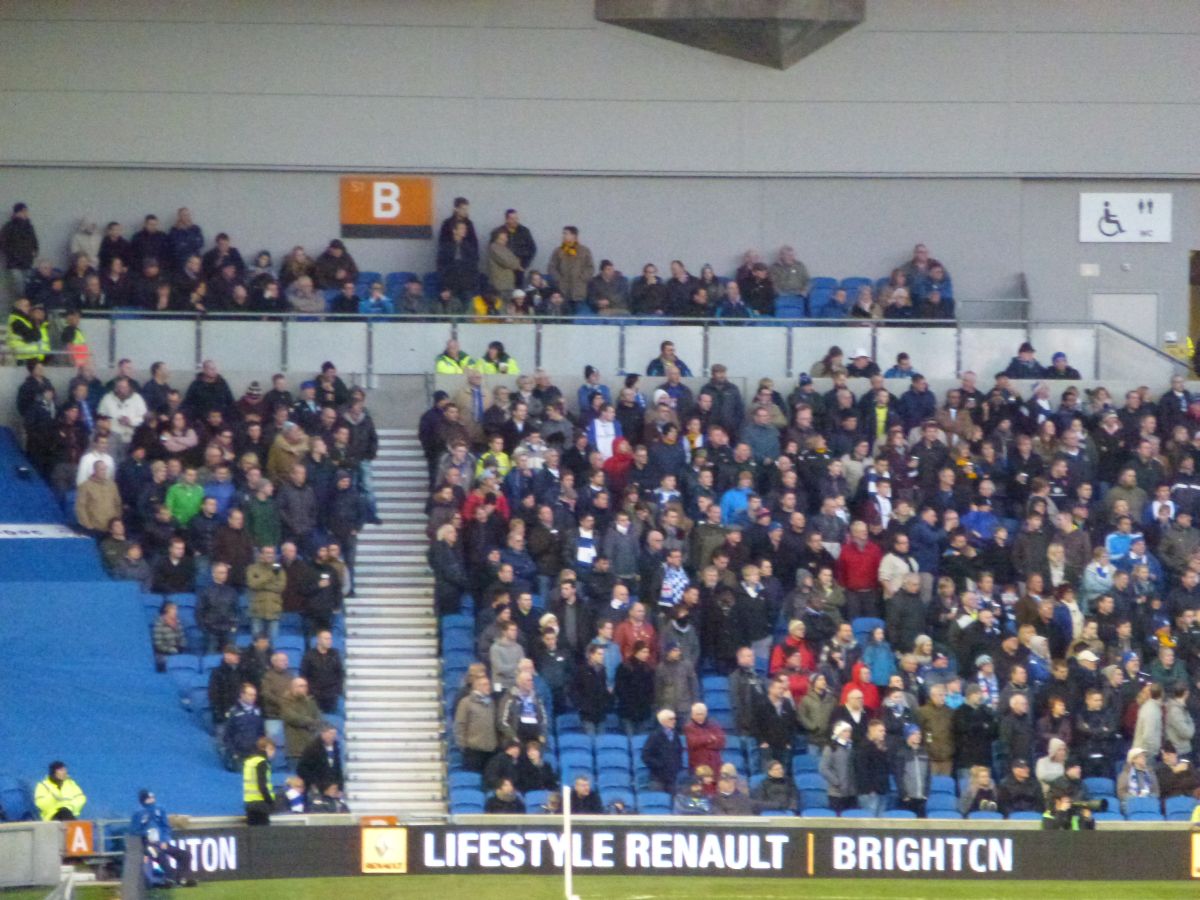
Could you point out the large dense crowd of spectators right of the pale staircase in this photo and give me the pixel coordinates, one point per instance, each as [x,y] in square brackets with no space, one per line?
[889,593]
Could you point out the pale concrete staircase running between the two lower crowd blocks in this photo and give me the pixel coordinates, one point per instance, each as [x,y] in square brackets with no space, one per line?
[393,717]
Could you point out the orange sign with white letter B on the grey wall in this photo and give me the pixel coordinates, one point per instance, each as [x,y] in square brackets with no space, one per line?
[387,207]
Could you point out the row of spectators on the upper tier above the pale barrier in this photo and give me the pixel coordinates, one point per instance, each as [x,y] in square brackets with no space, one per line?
[175,271]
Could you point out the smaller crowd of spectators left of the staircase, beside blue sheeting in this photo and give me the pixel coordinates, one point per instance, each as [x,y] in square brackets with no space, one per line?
[247,507]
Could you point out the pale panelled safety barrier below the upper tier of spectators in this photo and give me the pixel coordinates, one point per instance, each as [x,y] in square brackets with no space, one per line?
[779,349]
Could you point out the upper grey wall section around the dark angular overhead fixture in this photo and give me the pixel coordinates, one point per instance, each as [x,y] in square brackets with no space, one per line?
[923,87]
